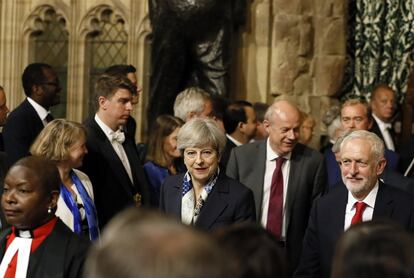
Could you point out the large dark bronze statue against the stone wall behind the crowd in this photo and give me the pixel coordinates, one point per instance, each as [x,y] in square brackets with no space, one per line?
[191,47]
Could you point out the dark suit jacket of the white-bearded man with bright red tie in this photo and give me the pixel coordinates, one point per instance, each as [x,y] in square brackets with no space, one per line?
[327,220]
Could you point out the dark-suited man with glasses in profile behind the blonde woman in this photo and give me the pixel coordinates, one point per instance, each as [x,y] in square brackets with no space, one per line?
[41,86]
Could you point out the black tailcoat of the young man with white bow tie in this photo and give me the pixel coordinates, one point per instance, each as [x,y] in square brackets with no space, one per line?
[113,190]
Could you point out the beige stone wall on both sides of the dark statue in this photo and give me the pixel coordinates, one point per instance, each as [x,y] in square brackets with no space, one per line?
[293,48]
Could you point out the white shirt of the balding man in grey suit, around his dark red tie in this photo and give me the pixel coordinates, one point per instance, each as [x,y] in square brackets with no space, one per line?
[270,167]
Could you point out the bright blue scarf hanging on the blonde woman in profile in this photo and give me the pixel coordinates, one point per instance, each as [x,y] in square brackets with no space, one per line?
[90,209]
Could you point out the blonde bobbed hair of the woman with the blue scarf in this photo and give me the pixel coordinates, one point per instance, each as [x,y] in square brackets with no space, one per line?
[55,140]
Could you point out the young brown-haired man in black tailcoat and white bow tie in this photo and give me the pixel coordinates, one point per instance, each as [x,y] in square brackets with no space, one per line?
[112,161]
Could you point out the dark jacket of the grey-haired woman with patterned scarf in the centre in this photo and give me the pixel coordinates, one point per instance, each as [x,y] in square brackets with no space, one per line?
[229,202]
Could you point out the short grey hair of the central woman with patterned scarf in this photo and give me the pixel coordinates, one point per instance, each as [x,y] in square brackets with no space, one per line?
[200,132]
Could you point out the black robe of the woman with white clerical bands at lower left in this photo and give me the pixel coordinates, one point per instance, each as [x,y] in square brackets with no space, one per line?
[61,254]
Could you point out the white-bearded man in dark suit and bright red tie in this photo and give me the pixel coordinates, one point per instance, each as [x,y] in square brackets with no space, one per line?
[364,197]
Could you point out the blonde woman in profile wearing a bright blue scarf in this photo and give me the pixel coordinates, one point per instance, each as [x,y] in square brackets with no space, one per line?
[64,142]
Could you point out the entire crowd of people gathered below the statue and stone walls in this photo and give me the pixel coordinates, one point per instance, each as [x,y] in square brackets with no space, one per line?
[222,188]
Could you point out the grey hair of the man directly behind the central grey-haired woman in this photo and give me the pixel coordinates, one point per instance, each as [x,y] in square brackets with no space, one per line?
[190,100]
